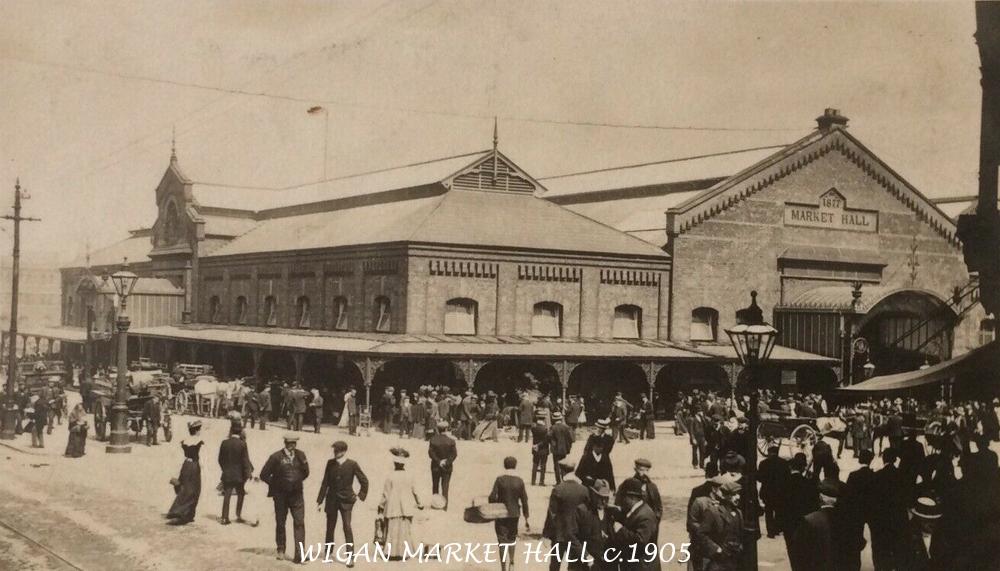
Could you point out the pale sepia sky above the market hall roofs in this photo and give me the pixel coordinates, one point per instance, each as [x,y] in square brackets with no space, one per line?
[91,93]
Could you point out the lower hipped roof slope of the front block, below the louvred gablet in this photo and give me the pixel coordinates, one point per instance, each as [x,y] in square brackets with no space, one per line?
[455,217]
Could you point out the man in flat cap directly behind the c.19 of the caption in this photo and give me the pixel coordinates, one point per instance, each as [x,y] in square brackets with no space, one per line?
[635,529]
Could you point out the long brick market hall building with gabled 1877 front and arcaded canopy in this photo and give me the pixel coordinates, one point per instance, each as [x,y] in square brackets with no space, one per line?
[468,271]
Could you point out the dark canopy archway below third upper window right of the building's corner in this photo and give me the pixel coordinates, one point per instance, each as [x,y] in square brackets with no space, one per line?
[599,381]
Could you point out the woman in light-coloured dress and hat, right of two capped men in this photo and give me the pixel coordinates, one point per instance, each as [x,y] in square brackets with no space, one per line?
[398,505]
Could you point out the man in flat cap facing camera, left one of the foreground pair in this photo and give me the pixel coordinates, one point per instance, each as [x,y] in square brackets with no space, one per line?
[284,472]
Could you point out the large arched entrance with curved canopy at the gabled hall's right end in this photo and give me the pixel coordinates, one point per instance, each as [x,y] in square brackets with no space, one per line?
[907,328]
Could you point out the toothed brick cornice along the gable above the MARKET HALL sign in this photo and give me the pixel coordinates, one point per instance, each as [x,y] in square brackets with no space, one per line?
[742,186]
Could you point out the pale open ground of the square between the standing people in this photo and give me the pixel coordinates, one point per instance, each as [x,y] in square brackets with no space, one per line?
[106,511]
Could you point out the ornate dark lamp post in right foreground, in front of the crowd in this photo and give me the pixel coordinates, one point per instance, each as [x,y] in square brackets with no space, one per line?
[753,340]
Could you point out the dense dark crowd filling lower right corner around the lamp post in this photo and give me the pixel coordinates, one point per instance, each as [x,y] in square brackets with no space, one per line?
[932,503]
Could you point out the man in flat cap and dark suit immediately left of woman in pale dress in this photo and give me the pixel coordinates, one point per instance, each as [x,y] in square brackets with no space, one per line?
[337,489]
